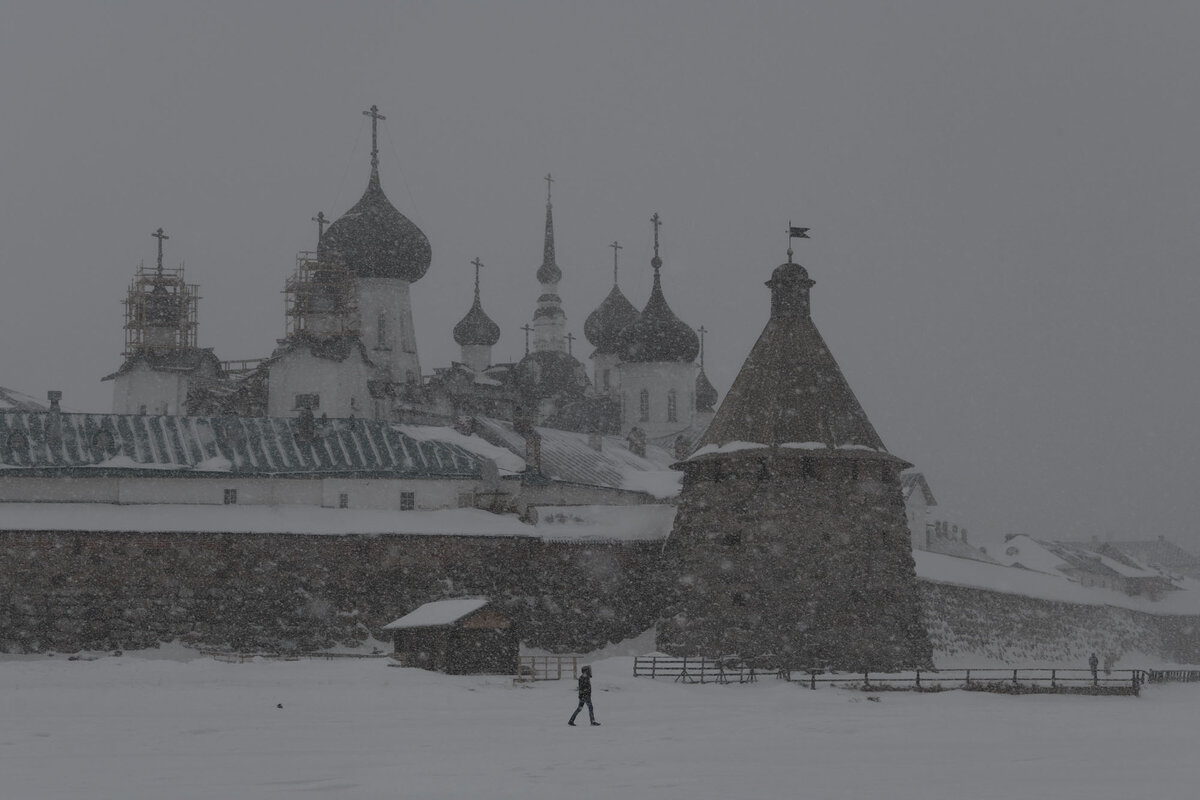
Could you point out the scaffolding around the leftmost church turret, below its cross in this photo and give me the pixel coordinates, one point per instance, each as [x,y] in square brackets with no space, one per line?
[160,312]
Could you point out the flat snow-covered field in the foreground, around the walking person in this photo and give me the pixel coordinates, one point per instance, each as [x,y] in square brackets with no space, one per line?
[159,729]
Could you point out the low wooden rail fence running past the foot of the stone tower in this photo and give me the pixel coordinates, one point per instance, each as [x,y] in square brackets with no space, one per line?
[1010,681]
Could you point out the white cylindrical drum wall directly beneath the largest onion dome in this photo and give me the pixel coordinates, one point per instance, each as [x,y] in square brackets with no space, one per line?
[388,333]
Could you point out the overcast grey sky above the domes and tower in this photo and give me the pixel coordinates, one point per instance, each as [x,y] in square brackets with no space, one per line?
[1004,201]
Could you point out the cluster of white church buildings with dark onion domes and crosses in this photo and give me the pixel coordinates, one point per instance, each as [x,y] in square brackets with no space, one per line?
[351,348]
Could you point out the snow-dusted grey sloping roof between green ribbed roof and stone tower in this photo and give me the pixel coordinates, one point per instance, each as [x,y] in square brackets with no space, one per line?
[568,456]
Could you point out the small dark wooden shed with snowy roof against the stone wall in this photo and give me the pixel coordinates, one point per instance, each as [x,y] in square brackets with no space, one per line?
[465,636]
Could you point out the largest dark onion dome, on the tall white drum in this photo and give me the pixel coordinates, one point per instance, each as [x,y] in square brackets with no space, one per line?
[377,242]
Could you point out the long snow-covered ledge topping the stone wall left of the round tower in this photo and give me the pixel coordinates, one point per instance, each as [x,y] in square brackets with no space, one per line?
[256,520]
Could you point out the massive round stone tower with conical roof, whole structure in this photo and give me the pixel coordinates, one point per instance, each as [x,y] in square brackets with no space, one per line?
[790,544]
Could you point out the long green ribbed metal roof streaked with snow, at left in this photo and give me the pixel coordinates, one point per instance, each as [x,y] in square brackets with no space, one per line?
[261,447]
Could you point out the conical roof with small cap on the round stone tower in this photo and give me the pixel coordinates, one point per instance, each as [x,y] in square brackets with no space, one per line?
[790,389]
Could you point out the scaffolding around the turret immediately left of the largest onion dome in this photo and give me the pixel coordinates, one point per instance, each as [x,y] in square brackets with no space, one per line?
[321,298]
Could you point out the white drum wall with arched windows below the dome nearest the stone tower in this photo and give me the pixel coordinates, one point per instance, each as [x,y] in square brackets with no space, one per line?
[658,381]
